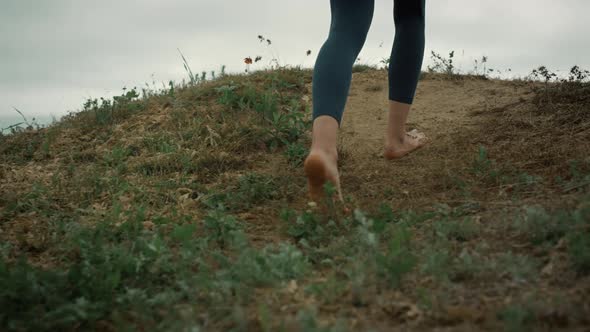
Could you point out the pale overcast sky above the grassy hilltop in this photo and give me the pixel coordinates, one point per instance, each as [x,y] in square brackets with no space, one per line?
[54,54]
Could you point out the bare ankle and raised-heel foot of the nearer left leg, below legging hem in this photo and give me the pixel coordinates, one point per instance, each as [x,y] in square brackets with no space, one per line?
[321,165]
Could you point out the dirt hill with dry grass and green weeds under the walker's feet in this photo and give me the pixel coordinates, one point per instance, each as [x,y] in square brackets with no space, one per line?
[187,207]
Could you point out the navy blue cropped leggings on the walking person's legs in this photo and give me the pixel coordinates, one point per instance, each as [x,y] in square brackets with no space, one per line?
[351,20]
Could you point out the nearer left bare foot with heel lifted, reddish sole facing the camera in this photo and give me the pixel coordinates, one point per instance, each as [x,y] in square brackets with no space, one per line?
[320,168]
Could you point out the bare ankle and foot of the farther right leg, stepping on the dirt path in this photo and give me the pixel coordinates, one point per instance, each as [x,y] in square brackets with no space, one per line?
[399,142]
